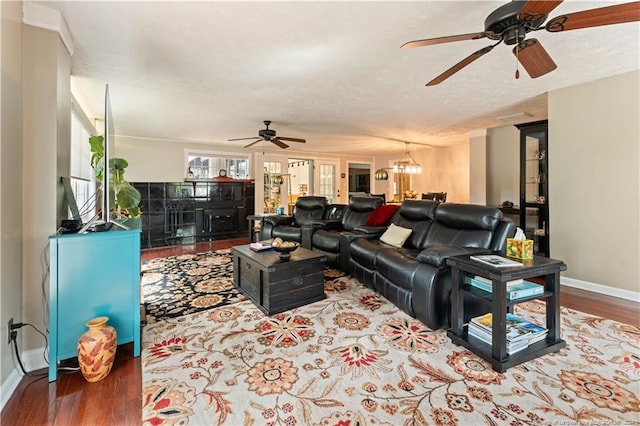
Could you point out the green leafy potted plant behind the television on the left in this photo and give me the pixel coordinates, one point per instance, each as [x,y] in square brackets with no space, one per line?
[122,195]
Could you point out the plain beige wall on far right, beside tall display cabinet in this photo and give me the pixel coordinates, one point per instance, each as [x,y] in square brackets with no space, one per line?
[594,183]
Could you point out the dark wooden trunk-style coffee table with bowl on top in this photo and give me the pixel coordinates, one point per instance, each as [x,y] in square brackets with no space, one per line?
[275,285]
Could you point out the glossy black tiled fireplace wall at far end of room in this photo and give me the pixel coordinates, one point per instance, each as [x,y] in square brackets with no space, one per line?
[175,213]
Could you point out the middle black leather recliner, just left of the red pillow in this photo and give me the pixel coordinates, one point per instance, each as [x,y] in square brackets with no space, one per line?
[325,236]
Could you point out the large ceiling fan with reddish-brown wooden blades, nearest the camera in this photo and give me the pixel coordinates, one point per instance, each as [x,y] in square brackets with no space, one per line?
[511,22]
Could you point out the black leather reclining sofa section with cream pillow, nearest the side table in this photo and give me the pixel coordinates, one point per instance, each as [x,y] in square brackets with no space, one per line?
[415,277]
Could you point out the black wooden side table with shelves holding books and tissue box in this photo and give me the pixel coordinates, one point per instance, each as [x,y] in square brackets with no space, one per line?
[496,353]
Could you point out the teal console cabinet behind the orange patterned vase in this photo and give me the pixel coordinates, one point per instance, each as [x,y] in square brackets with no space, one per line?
[92,274]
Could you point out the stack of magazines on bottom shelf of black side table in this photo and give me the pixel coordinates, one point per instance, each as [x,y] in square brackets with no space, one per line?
[520,332]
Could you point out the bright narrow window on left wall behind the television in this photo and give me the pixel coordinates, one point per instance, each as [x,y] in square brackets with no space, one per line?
[83,181]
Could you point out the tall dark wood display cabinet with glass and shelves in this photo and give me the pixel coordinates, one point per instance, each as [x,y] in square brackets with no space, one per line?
[534,185]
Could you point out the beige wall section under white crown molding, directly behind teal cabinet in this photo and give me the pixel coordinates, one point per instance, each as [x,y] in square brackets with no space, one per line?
[47,122]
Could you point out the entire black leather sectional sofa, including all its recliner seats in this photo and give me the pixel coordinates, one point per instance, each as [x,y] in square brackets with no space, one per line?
[414,276]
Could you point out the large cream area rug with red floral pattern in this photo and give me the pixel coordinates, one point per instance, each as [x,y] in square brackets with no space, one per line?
[355,359]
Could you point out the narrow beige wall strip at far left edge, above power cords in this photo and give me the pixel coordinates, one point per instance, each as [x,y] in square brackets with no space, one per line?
[11,87]
